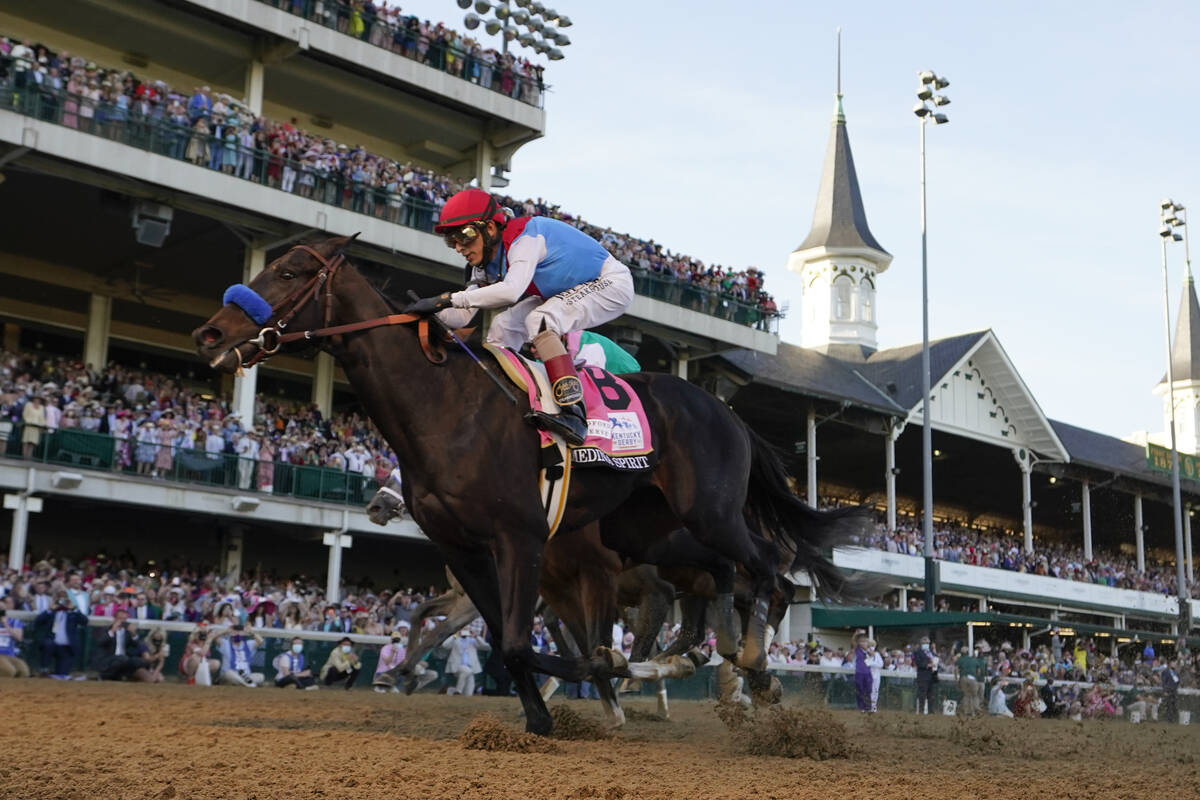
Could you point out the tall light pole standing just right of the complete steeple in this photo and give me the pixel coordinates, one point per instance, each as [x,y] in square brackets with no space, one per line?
[926,111]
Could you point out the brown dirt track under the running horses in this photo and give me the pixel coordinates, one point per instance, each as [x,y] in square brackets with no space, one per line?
[87,741]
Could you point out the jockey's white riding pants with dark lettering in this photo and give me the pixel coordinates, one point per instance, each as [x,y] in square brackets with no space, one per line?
[581,308]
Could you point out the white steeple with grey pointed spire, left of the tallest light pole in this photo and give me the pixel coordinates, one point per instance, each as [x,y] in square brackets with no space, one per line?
[841,258]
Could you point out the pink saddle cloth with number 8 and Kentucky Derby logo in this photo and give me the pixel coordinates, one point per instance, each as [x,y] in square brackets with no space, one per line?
[619,431]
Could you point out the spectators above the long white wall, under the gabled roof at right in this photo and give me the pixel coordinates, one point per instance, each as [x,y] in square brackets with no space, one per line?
[1003,551]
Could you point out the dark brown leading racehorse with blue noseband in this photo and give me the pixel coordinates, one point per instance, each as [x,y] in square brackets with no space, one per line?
[471,464]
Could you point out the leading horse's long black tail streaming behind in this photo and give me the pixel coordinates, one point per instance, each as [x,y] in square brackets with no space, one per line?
[805,534]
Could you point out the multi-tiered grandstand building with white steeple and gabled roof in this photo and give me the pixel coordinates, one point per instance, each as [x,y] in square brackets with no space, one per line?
[125,231]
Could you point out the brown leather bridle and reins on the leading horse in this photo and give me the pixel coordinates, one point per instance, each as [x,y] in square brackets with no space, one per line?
[319,288]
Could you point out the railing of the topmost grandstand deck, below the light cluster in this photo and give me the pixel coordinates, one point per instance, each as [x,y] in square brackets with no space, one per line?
[407,41]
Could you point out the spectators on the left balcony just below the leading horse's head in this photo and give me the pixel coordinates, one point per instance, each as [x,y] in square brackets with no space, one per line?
[154,418]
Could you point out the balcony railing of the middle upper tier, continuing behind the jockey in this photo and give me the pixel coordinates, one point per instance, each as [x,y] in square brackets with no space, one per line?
[345,189]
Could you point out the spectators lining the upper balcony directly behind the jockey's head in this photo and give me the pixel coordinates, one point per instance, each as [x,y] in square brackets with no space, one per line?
[220,133]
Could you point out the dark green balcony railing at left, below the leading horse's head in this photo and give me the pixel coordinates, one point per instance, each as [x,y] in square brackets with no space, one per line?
[98,452]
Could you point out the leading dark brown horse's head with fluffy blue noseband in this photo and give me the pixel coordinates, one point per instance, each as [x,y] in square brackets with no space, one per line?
[292,292]
